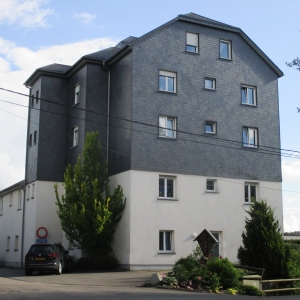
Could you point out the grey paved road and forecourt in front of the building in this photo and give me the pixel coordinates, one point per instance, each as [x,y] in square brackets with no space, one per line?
[111,285]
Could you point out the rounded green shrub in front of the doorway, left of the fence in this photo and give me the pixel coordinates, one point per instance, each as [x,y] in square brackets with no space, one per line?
[228,275]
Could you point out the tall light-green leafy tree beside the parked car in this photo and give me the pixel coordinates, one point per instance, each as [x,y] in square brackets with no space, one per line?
[88,211]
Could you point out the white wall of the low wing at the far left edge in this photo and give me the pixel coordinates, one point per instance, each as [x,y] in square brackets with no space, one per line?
[11,226]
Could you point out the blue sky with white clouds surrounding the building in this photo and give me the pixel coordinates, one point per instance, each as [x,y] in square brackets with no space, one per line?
[35,33]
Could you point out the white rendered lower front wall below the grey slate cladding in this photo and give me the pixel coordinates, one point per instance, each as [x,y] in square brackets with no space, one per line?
[195,209]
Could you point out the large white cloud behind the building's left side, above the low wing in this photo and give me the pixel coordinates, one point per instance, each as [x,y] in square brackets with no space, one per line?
[16,65]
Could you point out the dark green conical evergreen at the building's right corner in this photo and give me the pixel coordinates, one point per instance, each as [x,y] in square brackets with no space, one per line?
[263,245]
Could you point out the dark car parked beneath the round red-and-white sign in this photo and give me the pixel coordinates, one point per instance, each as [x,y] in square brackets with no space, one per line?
[47,257]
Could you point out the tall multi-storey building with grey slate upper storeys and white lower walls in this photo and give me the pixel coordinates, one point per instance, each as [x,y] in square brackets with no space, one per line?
[218,94]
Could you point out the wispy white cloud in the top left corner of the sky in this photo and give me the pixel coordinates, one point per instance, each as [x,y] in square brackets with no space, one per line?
[25,13]
